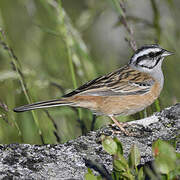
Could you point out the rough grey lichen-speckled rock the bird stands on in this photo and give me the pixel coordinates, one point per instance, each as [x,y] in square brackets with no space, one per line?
[66,161]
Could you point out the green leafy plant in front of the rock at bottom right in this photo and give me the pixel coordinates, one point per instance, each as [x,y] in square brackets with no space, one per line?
[165,166]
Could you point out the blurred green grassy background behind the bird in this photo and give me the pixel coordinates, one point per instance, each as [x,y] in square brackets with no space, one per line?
[61,44]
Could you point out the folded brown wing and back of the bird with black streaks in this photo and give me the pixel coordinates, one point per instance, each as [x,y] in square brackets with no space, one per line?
[124,81]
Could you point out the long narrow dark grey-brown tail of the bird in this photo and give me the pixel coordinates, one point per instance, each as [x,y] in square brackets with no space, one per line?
[43,104]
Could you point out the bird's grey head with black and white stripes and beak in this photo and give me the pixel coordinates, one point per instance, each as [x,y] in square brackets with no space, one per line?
[148,58]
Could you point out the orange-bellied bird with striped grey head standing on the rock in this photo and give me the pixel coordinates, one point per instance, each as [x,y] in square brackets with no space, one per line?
[125,91]
